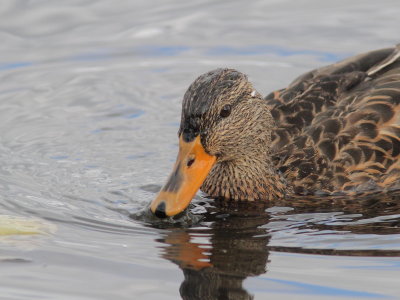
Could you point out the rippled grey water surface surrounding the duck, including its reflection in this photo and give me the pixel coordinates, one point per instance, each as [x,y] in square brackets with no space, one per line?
[90,97]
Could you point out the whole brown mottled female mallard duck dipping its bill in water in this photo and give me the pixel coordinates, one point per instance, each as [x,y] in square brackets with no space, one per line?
[334,129]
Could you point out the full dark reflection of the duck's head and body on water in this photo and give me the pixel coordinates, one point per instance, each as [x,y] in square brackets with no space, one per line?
[228,247]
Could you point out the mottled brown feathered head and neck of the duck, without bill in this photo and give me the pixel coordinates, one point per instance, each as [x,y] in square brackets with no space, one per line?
[240,141]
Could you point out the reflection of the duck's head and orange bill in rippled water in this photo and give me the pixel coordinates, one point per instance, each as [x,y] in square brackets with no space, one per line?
[215,260]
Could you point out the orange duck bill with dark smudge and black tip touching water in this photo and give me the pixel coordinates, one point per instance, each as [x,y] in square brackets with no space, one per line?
[191,169]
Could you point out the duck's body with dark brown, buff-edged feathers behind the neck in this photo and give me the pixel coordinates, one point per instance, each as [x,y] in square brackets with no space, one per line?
[338,127]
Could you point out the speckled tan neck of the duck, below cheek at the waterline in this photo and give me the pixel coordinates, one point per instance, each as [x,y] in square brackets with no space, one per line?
[251,178]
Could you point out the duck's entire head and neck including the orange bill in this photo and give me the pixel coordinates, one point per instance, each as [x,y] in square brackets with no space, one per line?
[224,140]
